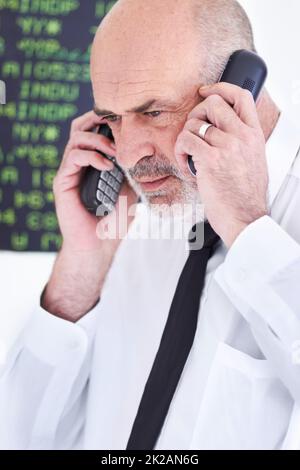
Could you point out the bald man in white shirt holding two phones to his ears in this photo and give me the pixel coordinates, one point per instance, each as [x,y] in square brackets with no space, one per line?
[76,375]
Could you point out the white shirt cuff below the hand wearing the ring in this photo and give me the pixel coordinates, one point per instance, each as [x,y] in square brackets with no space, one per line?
[257,263]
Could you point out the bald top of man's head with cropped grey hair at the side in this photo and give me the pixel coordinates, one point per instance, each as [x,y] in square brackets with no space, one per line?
[190,34]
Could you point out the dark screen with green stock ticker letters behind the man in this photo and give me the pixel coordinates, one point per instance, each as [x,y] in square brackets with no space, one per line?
[44,64]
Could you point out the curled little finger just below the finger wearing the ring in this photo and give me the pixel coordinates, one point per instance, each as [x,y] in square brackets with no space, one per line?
[189,144]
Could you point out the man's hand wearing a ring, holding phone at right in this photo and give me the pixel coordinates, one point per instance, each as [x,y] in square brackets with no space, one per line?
[232,174]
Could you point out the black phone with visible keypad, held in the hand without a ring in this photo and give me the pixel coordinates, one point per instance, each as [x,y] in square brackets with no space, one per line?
[100,189]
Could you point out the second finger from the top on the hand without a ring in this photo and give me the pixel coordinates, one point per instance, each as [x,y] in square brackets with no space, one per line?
[92,141]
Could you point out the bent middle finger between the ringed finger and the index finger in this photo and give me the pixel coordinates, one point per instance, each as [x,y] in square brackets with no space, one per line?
[218,112]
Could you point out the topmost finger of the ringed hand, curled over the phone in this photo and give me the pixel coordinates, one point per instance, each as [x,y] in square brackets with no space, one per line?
[240,99]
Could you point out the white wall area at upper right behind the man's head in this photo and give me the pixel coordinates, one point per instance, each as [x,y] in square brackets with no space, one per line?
[277,33]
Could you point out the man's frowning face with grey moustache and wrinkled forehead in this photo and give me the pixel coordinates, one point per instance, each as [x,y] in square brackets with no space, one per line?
[144,93]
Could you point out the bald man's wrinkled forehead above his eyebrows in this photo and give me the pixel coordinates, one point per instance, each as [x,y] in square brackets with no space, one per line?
[124,72]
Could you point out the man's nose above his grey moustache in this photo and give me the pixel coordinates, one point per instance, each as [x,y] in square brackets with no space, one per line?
[133,142]
